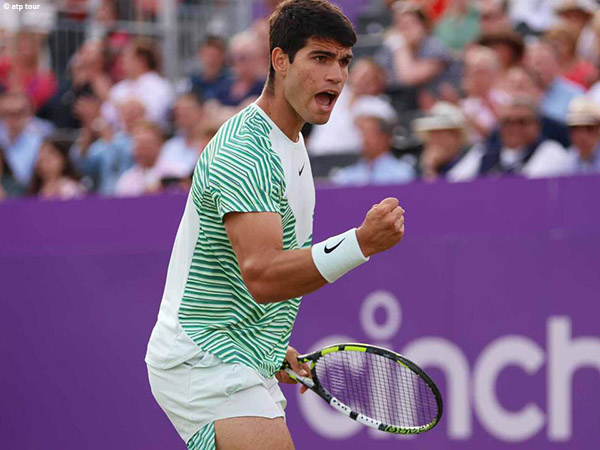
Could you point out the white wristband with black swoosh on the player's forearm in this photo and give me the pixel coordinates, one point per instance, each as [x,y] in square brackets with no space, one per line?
[338,255]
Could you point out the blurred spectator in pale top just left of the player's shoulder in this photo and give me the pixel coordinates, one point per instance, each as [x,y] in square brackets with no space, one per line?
[185,147]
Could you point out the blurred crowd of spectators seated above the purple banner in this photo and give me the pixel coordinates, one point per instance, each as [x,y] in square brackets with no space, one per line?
[439,89]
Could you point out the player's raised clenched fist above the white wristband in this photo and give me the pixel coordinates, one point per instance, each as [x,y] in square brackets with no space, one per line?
[382,228]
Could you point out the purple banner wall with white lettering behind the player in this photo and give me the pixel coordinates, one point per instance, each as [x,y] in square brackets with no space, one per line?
[494,291]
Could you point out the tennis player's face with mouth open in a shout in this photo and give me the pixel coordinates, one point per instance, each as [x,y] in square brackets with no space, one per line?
[315,79]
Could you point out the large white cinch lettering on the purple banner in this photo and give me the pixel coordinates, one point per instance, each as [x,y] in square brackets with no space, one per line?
[471,392]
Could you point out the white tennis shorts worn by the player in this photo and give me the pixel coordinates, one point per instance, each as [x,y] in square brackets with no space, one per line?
[205,389]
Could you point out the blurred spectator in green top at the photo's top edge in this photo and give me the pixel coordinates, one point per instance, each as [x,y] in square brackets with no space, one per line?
[459,26]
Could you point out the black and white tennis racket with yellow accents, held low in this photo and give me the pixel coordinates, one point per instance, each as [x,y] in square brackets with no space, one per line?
[374,386]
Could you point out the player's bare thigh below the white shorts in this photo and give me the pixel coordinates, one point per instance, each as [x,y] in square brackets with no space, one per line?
[252,433]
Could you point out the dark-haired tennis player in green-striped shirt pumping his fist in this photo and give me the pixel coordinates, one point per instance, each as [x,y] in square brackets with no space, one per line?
[242,257]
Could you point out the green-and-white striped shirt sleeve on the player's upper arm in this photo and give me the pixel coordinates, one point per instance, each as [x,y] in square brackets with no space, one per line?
[247,181]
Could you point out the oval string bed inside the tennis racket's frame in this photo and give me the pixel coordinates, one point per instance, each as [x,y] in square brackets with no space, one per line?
[378,387]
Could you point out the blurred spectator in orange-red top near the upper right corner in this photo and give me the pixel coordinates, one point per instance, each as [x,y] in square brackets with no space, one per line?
[563,38]
